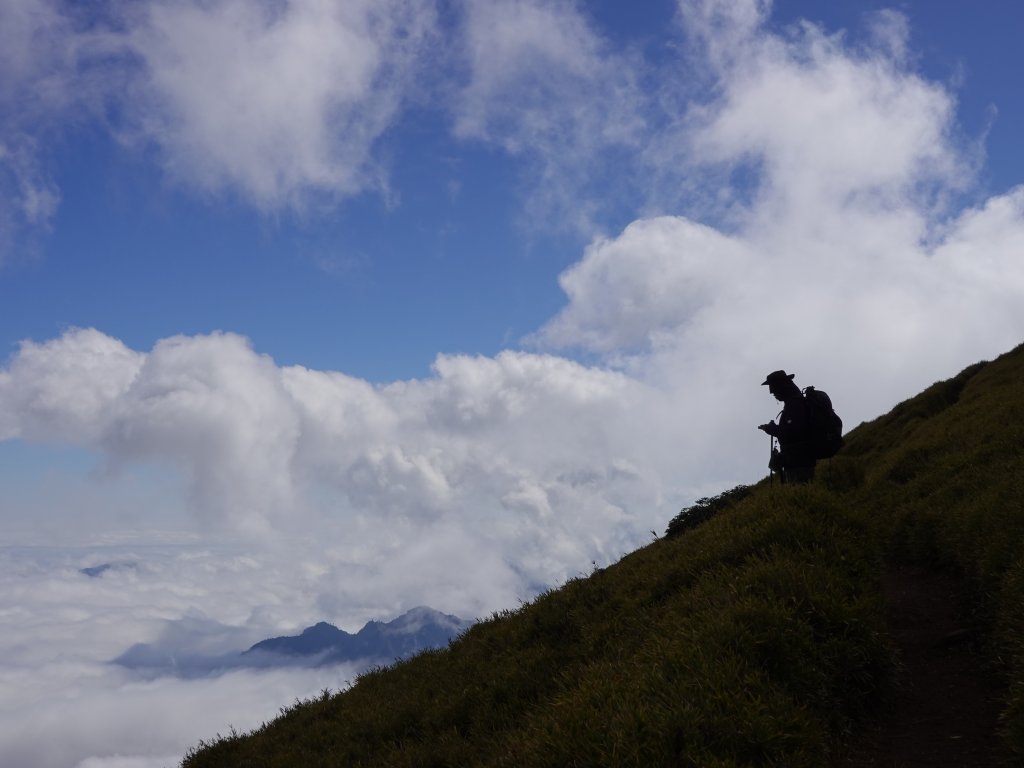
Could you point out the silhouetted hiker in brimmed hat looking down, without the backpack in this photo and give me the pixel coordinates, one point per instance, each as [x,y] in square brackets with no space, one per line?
[795,458]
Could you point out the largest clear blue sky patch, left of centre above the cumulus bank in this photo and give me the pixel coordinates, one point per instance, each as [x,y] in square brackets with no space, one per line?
[373,287]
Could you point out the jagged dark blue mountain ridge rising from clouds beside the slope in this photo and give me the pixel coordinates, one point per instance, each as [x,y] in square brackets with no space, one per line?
[417,630]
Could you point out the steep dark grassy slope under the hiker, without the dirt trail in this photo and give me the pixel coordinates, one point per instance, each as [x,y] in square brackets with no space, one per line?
[752,639]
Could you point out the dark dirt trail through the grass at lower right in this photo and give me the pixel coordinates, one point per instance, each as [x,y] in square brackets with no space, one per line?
[946,711]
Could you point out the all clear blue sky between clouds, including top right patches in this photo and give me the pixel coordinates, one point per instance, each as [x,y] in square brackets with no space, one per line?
[376,285]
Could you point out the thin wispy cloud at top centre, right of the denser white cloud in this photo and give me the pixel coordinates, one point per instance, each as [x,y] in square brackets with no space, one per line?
[544,86]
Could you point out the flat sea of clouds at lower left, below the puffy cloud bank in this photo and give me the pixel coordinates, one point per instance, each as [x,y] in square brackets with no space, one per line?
[63,704]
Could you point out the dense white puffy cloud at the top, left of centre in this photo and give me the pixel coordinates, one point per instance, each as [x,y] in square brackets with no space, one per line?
[276,101]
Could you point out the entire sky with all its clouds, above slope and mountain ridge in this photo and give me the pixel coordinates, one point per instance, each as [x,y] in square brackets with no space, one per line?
[322,312]
